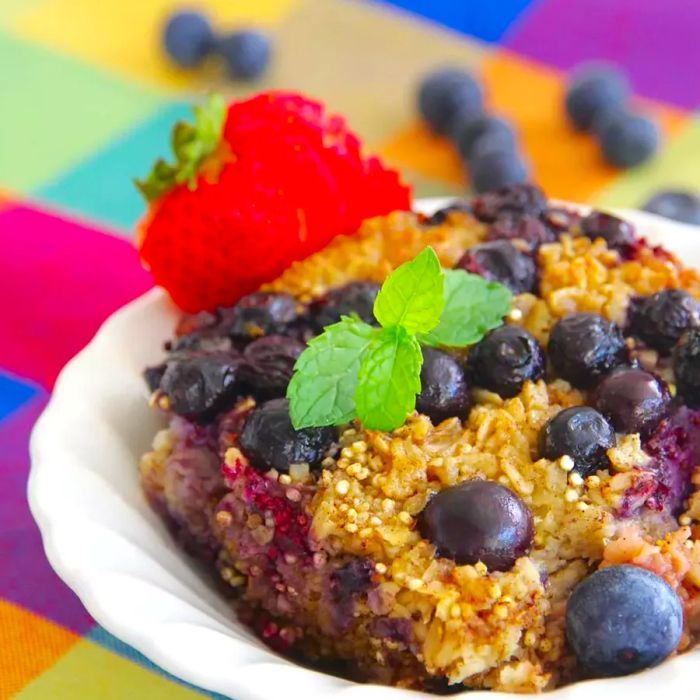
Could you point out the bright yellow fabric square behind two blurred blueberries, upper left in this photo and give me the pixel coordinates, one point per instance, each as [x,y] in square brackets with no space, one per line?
[125,35]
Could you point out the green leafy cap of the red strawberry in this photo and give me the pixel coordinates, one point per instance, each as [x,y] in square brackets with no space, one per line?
[191,144]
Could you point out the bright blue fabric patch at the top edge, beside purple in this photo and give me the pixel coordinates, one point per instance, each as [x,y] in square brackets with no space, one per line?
[485,20]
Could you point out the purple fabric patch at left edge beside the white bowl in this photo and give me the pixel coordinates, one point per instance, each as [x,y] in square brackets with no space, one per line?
[25,575]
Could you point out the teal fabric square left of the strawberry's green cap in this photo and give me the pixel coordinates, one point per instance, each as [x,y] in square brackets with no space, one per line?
[101,187]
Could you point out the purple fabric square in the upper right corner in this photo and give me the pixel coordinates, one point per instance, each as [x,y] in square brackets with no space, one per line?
[656,42]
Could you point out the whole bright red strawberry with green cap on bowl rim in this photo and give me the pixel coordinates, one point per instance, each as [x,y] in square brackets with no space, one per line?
[255,186]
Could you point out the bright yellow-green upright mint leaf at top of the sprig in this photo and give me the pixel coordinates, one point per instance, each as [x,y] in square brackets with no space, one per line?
[412,296]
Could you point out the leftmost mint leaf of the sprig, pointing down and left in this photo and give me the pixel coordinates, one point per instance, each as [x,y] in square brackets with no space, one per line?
[324,382]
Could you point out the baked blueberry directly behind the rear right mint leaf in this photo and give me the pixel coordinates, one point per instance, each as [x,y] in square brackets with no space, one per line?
[501,261]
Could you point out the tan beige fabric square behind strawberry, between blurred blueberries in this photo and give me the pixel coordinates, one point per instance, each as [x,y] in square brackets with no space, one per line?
[363,60]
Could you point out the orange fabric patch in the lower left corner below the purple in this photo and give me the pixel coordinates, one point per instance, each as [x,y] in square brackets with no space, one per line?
[29,645]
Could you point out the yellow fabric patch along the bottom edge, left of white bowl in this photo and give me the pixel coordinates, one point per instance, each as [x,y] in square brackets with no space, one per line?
[88,671]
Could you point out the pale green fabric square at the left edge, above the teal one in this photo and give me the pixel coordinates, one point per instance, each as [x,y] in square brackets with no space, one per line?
[56,110]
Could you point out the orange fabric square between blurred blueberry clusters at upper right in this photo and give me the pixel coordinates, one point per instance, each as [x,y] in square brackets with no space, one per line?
[567,164]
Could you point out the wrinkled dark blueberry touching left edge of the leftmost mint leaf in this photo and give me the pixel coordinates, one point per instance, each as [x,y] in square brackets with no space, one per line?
[269,364]
